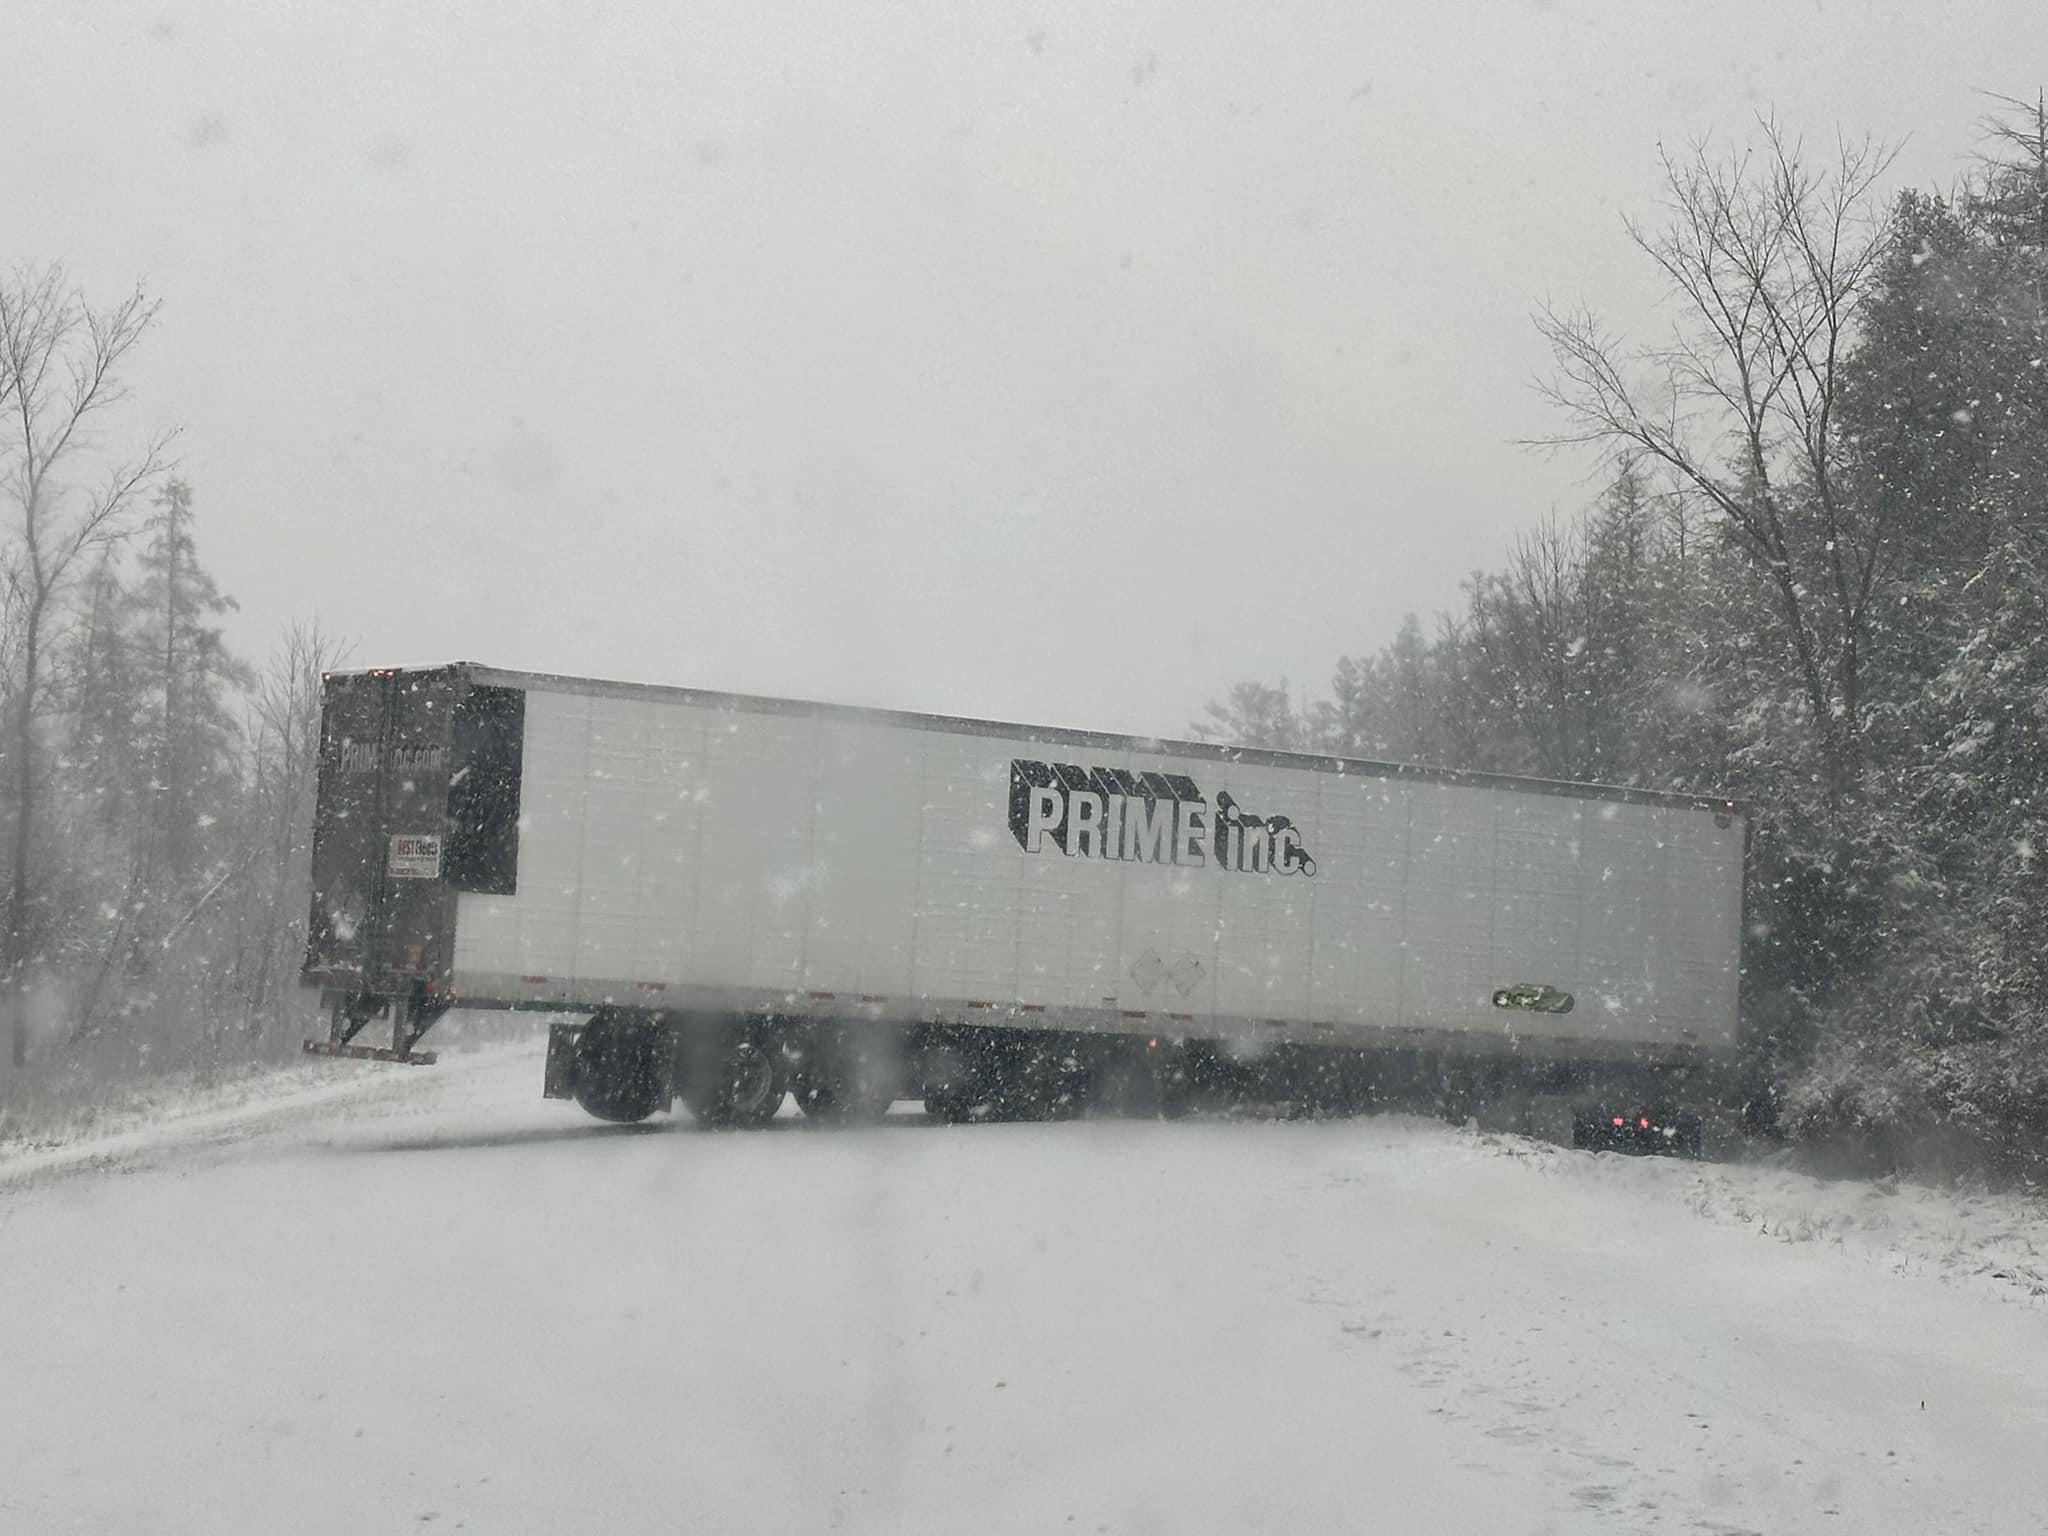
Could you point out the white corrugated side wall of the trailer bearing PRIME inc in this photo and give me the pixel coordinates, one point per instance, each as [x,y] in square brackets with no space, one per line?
[681,851]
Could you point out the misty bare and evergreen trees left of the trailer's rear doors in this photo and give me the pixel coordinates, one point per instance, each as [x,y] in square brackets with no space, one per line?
[155,787]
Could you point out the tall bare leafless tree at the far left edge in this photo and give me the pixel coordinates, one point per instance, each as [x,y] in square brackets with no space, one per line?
[60,374]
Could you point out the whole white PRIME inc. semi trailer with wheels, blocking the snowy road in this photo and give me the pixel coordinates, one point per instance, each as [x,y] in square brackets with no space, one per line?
[746,900]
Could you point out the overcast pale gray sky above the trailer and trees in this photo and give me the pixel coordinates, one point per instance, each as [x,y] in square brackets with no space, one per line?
[1041,361]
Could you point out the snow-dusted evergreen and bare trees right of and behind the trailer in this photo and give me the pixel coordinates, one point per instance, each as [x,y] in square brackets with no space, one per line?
[1816,579]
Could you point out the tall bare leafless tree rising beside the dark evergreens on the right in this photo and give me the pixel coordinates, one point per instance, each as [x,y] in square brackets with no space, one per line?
[1770,263]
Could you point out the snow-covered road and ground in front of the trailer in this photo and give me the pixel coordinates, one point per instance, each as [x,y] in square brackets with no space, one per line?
[425,1299]
